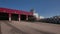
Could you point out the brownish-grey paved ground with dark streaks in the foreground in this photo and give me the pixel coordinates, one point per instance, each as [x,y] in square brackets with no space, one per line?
[16,27]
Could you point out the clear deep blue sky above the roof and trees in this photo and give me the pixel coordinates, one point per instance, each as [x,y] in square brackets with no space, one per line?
[46,8]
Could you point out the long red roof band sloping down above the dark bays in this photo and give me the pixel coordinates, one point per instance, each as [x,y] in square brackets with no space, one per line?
[6,10]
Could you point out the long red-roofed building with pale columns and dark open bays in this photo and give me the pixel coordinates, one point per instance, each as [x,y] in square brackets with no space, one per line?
[11,14]
